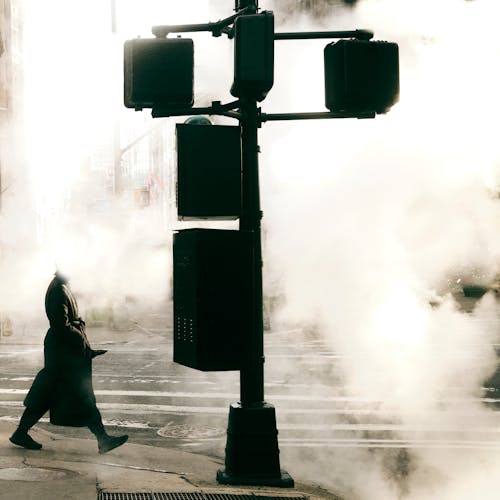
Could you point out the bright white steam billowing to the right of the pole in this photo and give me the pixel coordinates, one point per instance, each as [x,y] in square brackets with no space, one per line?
[367,221]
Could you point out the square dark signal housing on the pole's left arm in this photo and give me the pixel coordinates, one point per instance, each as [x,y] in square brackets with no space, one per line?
[158,72]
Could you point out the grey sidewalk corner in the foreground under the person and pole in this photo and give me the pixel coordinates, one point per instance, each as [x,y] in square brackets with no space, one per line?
[72,469]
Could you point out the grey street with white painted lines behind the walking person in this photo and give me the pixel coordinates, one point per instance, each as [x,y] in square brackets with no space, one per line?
[141,391]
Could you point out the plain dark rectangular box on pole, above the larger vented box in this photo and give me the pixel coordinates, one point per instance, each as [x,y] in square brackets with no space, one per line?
[208,171]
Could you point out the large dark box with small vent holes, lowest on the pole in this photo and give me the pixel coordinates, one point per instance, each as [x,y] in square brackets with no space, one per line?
[212,292]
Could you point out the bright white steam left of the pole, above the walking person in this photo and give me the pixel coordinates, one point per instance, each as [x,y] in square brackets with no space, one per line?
[59,208]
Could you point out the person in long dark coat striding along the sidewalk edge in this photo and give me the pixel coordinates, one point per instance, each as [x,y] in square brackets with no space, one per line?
[64,385]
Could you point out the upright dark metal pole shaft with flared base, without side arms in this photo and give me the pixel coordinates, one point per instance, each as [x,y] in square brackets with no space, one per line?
[252,452]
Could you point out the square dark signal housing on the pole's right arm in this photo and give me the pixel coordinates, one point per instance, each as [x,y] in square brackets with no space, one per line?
[361,76]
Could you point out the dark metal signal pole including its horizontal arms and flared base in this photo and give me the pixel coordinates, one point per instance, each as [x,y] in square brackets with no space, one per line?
[252,452]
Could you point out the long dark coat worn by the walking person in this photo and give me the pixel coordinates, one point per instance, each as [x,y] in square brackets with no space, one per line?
[64,386]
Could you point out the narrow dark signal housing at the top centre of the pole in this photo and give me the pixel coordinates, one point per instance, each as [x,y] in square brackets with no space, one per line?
[253,55]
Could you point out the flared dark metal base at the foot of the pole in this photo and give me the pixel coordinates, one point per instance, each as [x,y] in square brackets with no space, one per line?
[252,453]
